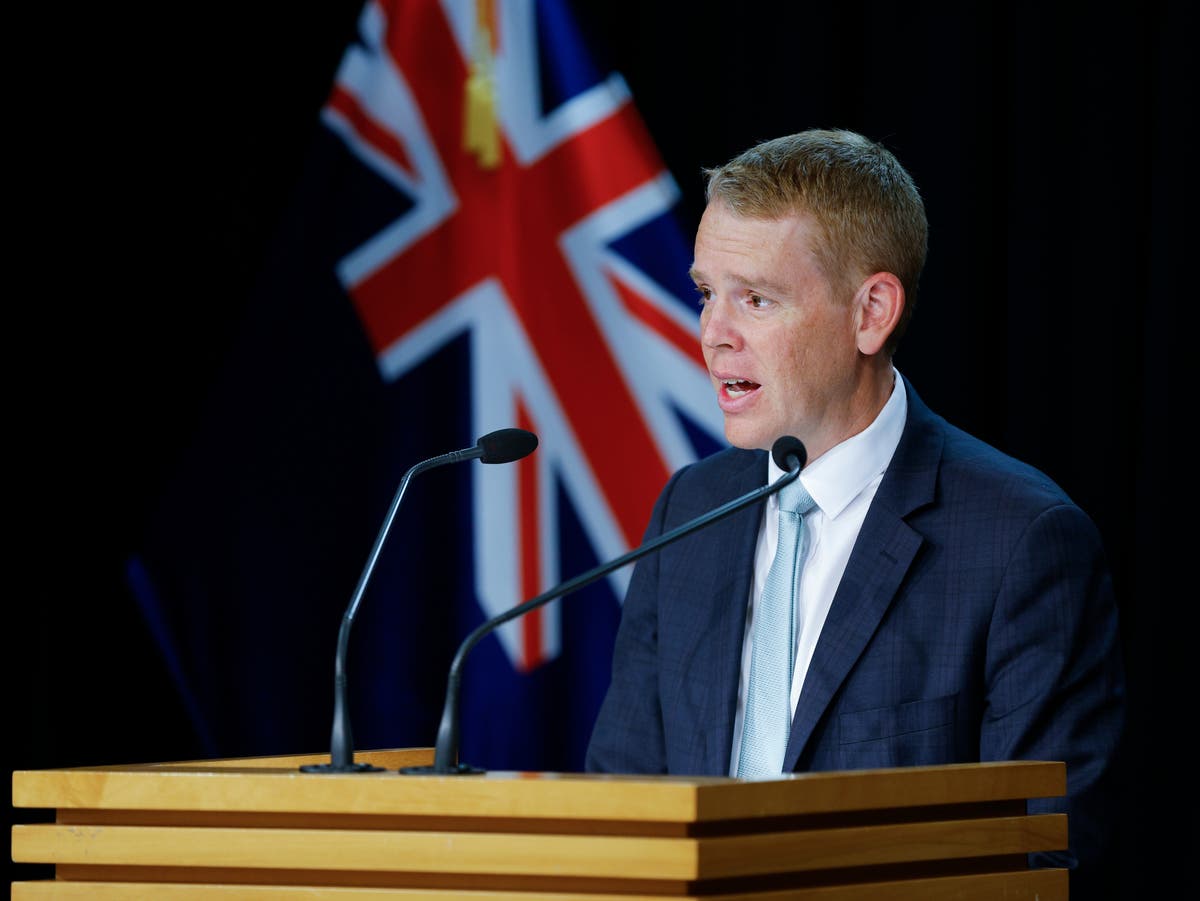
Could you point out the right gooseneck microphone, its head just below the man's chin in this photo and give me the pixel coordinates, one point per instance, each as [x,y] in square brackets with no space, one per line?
[789,454]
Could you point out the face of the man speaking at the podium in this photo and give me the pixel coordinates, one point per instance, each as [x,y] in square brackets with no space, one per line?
[781,347]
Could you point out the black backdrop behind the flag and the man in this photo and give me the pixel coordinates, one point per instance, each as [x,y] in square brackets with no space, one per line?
[155,151]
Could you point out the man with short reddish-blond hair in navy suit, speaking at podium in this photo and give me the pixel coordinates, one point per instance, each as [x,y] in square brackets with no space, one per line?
[953,604]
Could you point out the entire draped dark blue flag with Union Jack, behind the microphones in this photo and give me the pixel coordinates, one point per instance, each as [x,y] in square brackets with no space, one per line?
[484,239]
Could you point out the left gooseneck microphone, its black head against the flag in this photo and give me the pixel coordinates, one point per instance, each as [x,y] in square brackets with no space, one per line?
[505,446]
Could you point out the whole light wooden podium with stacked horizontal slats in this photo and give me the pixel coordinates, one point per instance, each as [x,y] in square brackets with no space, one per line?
[260,830]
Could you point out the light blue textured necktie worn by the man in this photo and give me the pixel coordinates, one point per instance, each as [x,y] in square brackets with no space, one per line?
[769,710]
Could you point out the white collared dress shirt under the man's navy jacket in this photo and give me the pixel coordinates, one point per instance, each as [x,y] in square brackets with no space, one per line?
[843,482]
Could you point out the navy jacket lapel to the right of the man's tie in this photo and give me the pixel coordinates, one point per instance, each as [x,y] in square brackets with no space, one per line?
[883,555]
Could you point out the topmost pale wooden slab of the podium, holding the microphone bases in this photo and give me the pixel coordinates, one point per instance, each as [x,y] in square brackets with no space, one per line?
[277,785]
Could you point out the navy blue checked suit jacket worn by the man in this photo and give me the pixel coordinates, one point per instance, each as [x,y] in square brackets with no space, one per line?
[975,622]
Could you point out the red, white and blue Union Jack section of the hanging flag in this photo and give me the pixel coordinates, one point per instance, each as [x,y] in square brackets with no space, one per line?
[539,224]
